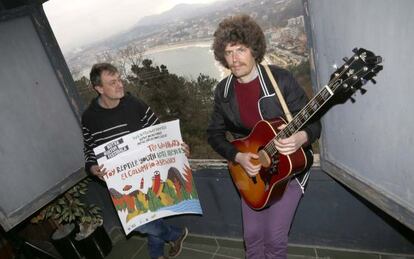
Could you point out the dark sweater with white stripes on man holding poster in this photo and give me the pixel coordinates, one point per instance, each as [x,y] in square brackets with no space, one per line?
[100,125]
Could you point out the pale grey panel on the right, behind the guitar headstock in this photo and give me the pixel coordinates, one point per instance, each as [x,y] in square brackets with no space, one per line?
[367,145]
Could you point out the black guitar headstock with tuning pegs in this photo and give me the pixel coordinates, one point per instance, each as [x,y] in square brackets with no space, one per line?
[355,72]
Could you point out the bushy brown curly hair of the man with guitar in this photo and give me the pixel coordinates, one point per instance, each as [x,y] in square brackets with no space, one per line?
[239,29]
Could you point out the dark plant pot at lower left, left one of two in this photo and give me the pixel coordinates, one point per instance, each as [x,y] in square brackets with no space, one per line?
[63,239]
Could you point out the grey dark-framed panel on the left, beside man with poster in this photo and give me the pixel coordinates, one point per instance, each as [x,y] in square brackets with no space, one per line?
[40,137]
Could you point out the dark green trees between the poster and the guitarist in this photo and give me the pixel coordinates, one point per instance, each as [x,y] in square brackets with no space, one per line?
[172,97]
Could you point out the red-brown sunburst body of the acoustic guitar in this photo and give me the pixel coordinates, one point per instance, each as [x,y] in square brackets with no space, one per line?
[270,183]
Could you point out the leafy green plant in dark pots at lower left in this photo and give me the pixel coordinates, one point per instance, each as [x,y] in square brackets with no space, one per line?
[79,227]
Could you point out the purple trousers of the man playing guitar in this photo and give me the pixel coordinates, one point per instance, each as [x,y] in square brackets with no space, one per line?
[266,231]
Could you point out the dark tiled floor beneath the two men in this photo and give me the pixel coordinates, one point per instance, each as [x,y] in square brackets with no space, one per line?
[202,247]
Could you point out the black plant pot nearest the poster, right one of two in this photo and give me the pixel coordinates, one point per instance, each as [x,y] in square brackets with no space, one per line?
[96,245]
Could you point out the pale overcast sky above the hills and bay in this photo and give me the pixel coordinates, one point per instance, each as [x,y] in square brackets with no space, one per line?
[79,22]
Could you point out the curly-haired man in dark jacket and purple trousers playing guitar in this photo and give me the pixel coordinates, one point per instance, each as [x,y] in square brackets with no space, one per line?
[242,99]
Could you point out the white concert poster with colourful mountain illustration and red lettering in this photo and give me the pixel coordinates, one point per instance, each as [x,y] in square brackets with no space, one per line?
[148,175]
